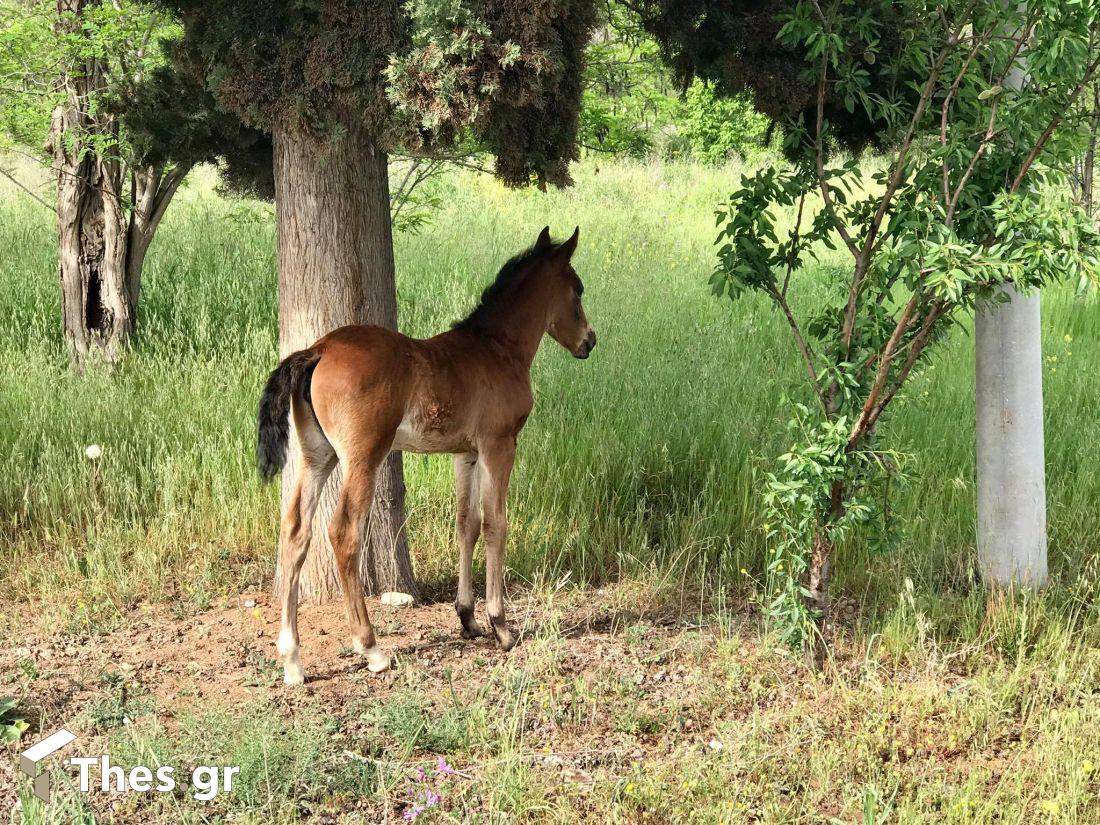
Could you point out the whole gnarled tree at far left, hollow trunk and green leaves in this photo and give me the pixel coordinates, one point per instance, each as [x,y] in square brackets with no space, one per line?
[78,94]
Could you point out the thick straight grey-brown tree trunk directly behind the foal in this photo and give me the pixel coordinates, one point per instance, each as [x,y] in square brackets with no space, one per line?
[336,262]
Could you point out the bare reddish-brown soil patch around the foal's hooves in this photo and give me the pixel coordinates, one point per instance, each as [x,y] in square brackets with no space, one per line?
[229,653]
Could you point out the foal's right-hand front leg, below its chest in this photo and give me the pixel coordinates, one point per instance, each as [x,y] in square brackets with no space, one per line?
[496,469]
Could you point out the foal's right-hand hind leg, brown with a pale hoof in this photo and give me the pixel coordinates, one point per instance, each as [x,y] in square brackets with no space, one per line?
[347,531]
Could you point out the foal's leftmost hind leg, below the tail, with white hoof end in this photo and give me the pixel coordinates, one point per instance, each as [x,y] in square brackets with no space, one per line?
[316,465]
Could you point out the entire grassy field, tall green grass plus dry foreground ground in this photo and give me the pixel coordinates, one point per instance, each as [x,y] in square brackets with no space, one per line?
[646,689]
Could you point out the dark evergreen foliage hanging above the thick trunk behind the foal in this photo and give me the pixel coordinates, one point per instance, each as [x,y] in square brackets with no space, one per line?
[419,76]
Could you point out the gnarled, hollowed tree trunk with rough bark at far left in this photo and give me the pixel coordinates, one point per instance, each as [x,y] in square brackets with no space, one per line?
[102,246]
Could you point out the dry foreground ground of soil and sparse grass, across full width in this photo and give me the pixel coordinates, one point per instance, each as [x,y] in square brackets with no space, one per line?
[618,707]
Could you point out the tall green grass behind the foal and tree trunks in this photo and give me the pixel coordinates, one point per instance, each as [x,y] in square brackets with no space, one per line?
[644,461]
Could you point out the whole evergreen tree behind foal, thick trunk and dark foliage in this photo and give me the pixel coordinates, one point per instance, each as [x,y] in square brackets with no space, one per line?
[342,84]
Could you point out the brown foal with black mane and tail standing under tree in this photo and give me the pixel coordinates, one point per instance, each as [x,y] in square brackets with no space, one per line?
[361,392]
